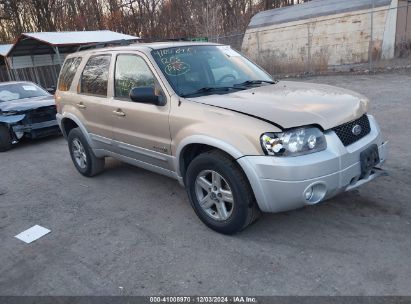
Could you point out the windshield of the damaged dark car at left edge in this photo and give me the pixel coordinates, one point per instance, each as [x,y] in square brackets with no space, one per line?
[16,91]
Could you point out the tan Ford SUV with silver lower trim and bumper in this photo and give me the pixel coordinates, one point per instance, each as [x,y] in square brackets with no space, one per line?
[205,115]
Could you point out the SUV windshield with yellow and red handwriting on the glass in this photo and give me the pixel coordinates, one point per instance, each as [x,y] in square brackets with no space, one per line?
[209,69]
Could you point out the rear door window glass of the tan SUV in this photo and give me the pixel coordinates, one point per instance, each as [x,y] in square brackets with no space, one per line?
[94,78]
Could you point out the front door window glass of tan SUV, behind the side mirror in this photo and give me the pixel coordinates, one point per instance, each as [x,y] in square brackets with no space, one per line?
[131,72]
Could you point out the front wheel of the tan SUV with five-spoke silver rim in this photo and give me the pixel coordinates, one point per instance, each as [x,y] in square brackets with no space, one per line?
[202,172]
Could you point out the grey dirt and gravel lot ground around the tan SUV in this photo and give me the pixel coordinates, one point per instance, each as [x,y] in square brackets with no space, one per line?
[132,232]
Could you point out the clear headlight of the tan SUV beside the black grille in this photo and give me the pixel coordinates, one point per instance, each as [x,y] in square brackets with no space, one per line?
[293,142]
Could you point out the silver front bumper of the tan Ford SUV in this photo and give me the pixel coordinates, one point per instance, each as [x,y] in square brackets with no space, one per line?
[281,183]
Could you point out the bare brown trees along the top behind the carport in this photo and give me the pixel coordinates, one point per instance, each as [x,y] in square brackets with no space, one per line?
[149,19]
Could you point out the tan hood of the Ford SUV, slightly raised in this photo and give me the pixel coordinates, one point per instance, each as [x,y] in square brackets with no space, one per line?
[294,104]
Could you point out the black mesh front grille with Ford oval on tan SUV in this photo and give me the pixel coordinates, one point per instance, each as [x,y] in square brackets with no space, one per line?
[346,134]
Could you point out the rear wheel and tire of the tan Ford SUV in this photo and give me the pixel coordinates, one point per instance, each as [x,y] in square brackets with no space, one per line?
[82,156]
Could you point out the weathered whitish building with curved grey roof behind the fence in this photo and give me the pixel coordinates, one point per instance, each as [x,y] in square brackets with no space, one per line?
[323,33]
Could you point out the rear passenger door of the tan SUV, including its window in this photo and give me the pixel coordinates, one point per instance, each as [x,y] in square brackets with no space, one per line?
[93,103]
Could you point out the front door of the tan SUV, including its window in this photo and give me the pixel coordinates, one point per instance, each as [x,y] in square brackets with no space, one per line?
[140,131]
